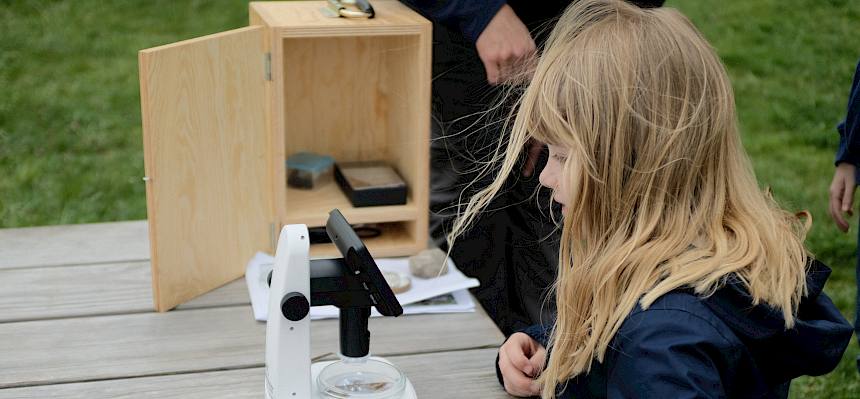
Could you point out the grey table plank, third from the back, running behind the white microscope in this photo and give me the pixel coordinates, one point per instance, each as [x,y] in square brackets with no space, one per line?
[95,348]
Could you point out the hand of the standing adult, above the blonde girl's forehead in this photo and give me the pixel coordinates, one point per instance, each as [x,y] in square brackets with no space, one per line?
[505,46]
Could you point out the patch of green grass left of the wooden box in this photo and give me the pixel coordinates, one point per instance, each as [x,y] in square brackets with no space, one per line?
[70,135]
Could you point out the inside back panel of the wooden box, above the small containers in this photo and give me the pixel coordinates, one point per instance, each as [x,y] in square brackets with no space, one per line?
[334,102]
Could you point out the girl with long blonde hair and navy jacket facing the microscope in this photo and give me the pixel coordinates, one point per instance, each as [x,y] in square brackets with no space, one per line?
[678,276]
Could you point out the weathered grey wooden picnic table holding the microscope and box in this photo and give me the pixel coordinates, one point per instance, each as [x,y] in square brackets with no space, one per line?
[77,321]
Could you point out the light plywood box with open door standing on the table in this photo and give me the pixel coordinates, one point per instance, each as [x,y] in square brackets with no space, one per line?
[222,112]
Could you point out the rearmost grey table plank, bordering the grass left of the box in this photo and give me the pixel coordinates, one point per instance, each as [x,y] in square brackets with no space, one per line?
[74,244]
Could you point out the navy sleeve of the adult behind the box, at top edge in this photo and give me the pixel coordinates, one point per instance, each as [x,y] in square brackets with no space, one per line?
[469,16]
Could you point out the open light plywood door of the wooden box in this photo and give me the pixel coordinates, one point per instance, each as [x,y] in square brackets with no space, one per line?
[207,161]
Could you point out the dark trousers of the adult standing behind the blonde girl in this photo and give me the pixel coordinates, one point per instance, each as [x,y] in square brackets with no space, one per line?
[513,248]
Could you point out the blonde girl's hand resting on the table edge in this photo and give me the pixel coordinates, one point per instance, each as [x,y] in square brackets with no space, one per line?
[521,359]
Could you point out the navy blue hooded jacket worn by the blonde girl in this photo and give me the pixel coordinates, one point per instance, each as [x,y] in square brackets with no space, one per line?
[684,346]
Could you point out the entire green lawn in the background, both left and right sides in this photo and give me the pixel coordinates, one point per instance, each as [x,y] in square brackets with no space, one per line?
[70,138]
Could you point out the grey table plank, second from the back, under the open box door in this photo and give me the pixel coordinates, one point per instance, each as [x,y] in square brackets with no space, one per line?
[35,293]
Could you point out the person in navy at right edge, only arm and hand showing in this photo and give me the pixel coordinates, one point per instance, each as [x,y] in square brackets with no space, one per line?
[845,177]
